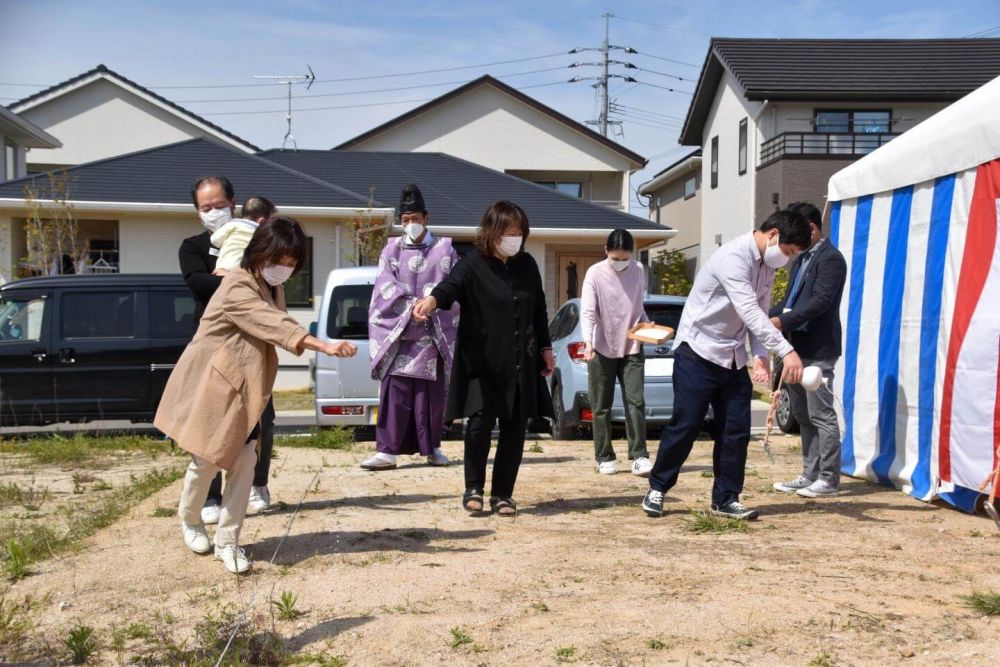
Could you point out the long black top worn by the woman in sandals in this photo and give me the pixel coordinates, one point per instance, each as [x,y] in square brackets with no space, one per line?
[501,333]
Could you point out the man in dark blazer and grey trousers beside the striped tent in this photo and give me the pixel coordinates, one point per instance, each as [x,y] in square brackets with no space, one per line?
[809,316]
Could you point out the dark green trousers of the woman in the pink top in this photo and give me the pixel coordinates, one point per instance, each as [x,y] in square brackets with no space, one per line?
[630,372]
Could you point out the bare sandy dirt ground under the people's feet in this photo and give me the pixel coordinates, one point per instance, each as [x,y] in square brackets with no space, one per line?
[387,565]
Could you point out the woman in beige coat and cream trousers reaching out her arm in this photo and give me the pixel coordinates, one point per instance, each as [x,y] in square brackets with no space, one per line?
[215,396]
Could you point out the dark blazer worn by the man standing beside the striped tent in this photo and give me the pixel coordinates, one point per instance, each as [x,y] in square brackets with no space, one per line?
[813,324]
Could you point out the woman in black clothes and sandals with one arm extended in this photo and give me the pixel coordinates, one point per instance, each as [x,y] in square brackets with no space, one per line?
[503,351]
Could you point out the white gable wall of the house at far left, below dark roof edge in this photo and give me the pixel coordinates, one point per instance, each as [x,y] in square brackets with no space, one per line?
[102,120]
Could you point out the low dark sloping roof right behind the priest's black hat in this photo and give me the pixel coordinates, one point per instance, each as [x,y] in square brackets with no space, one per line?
[456,191]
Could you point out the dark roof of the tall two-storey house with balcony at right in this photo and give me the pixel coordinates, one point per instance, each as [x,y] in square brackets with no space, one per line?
[848,70]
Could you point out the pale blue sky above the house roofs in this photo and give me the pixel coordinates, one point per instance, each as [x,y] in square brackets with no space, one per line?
[168,45]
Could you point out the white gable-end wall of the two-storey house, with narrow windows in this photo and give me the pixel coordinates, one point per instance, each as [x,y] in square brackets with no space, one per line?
[727,209]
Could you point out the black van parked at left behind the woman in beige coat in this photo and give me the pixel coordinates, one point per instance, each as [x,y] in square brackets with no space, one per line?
[89,347]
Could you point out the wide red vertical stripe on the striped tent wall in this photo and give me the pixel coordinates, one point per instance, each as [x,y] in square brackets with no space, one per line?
[979,243]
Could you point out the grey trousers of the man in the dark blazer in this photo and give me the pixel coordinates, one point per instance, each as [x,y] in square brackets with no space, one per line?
[818,422]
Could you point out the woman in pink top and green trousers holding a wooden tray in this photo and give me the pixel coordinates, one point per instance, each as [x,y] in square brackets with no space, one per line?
[612,306]
